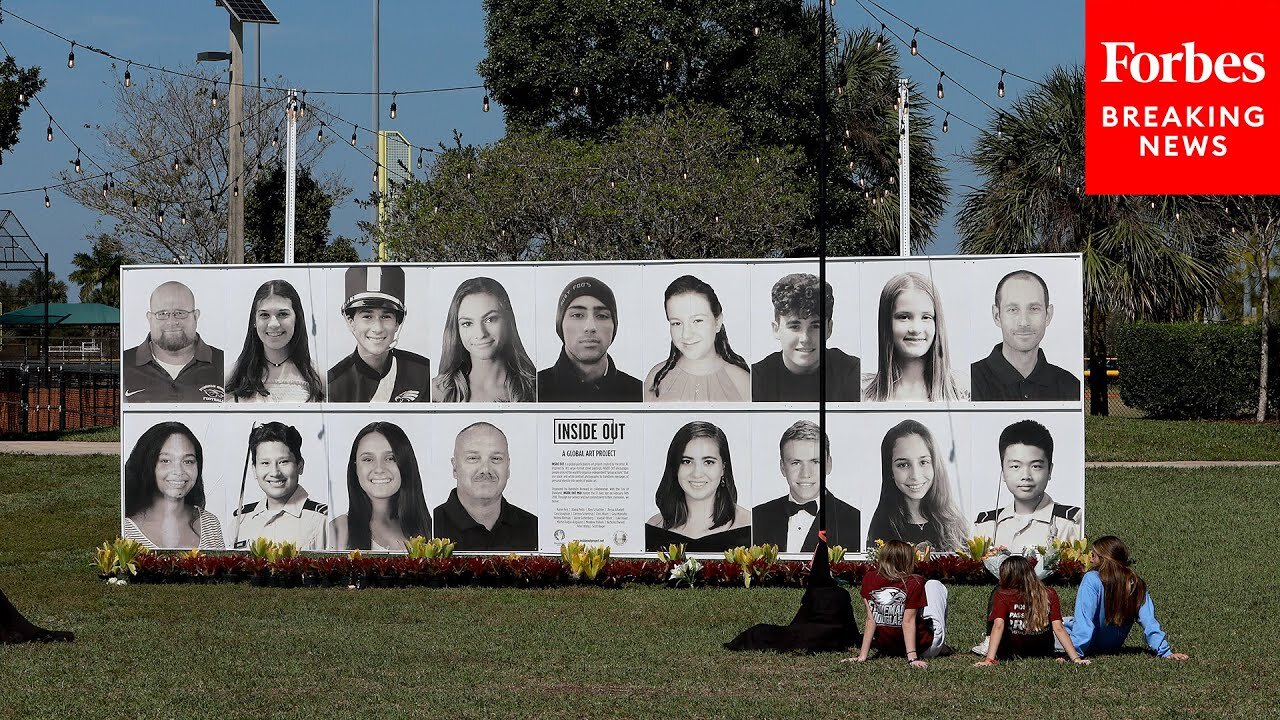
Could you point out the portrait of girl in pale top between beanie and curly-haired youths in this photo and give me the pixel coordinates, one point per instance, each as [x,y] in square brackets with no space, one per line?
[701,366]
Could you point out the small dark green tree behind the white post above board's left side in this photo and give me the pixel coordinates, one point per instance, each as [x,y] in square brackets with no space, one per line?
[264,220]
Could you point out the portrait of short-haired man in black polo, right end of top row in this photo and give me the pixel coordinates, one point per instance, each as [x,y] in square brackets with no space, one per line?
[1017,370]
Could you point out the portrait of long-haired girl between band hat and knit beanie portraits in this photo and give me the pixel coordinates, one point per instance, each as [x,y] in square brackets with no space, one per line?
[482,357]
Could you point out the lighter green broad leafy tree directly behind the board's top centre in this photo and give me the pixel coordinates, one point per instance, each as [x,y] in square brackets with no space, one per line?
[671,185]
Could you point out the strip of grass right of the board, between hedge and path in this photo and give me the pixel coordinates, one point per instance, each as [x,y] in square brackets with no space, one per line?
[1127,439]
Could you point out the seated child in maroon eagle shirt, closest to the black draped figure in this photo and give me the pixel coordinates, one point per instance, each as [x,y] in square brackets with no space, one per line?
[907,616]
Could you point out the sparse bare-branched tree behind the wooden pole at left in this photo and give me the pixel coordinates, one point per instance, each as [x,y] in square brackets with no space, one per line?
[181,213]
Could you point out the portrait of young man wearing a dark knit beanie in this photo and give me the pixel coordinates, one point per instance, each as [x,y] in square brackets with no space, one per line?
[587,322]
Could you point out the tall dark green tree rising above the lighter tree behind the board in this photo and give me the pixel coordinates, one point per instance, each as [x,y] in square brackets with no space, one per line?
[580,69]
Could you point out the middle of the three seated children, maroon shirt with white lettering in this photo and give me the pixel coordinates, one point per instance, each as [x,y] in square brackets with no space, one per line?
[1026,617]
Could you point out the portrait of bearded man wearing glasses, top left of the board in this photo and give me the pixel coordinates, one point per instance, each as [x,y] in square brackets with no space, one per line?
[173,364]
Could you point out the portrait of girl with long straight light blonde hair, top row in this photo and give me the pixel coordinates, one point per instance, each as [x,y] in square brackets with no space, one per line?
[913,356]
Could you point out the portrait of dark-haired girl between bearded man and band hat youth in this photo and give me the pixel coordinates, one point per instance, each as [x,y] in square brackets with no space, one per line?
[275,364]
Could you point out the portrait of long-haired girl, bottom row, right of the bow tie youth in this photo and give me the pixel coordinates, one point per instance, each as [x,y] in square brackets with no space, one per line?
[917,503]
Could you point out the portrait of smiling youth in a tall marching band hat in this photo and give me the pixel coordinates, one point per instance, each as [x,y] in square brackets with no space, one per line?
[378,371]
